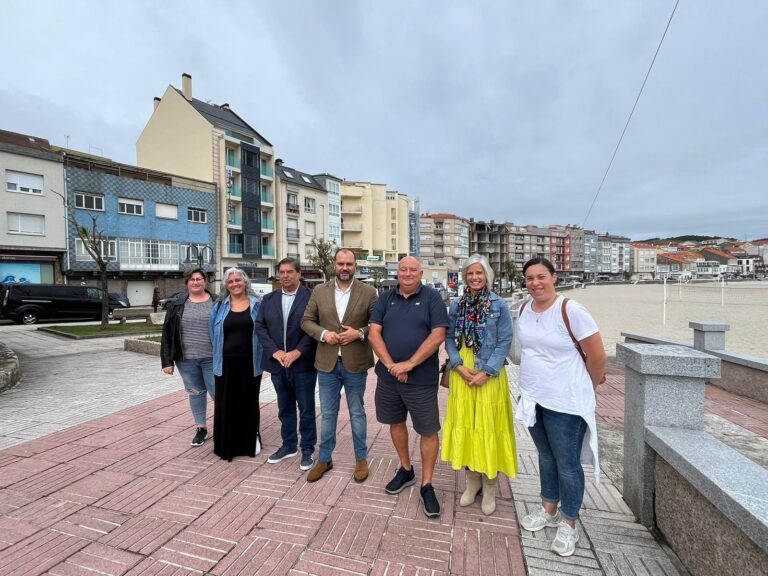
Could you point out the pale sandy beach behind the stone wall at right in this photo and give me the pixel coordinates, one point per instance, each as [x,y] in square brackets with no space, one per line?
[638,308]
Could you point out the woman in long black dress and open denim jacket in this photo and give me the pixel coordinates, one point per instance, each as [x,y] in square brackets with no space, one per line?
[237,369]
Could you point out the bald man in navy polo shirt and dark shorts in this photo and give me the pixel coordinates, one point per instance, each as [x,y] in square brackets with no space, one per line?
[407,327]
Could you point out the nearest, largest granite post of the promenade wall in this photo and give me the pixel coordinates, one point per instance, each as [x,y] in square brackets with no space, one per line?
[664,386]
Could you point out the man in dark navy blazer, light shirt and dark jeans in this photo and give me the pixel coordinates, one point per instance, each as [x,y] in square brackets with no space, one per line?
[289,356]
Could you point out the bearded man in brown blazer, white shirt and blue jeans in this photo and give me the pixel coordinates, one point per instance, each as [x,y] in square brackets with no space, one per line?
[337,317]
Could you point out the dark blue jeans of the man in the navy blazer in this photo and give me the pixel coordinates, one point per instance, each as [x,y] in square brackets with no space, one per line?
[296,389]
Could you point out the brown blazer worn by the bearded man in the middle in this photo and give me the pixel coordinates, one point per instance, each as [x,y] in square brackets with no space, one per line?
[320,314]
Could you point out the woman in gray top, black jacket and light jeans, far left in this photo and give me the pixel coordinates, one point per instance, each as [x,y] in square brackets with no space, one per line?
[186,343]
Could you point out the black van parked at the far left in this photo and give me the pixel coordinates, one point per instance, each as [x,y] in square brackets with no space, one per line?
[28,303]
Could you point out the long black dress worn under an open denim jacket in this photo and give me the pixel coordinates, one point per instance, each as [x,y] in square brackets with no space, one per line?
[236,415]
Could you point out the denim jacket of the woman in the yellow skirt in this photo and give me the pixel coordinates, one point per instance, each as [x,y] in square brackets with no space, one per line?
[498,337]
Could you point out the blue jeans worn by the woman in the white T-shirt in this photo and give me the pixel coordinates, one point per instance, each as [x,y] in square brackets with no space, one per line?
[558,438]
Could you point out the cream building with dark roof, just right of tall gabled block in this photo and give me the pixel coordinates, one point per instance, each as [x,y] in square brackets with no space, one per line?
[303,216]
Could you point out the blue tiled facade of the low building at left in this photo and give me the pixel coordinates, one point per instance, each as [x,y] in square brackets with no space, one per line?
[145,227]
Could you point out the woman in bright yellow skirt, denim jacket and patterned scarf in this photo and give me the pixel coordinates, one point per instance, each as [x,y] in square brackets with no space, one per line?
[478,431]
